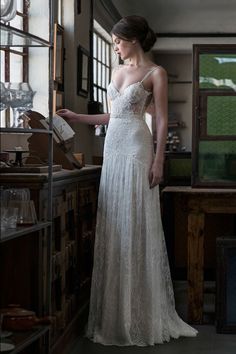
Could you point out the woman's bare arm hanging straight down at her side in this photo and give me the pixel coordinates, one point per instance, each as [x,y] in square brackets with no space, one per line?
[160,96]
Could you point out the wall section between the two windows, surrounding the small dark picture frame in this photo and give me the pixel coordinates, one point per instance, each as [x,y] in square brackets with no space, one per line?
[76,33]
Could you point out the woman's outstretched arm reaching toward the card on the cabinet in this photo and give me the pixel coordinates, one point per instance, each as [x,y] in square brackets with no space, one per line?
[93,119]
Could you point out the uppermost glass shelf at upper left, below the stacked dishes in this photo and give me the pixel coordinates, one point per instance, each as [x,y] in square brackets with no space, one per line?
[13,37]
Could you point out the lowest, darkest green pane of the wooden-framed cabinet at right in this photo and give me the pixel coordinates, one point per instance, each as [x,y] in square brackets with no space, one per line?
[217,161]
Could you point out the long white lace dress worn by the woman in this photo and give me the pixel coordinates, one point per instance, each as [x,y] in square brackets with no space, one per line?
[132,300]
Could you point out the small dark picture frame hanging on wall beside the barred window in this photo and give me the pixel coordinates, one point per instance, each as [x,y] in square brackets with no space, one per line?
[82,72]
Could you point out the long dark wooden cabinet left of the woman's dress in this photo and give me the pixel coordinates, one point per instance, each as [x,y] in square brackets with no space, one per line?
[25,260]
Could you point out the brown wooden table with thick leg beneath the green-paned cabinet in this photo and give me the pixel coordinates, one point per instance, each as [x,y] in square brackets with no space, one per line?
[198,202]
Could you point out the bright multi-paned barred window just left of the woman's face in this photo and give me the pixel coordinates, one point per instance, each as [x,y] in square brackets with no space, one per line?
[101,64]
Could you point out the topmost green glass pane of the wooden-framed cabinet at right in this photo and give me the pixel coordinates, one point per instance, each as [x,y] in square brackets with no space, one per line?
[217,71]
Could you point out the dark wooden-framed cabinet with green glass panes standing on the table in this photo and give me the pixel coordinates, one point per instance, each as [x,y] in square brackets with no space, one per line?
[214,124]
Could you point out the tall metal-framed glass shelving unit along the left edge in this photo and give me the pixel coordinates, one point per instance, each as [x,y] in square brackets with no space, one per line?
[24,268]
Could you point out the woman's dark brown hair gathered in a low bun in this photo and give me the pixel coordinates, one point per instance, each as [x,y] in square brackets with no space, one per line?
[135,27]
